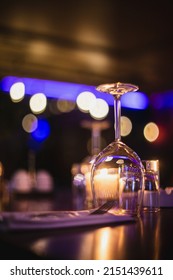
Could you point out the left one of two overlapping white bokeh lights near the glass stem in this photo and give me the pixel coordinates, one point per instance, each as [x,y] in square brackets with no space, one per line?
[85,100]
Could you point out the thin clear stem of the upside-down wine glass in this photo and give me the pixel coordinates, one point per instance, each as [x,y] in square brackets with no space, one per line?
[117,117]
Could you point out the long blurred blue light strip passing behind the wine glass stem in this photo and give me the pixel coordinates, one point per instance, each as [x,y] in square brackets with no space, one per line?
[70,91]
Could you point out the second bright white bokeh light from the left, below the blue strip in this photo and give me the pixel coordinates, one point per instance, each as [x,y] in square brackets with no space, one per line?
[38,103]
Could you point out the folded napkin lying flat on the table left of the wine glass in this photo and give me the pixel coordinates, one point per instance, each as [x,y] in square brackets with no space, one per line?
[56,219]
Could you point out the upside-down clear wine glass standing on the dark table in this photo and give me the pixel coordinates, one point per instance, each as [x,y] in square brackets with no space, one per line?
[117,172]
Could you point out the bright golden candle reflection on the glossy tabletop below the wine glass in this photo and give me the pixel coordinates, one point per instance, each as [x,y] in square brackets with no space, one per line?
[105,243]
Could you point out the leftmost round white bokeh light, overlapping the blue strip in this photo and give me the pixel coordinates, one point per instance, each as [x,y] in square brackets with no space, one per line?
[17,92]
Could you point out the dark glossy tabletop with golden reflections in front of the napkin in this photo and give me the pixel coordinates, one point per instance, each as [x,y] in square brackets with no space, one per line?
[150,237]
